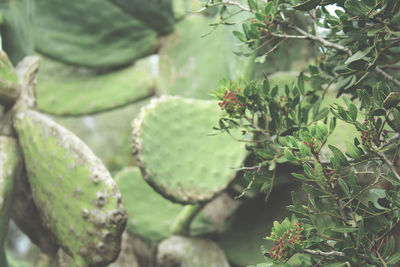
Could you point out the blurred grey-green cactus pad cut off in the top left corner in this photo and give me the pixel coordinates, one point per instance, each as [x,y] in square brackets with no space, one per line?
[17,28]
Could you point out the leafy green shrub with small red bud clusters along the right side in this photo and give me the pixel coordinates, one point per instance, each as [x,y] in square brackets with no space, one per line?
[350,202]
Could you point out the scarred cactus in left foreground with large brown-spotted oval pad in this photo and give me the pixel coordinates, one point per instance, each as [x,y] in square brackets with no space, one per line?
[78,202]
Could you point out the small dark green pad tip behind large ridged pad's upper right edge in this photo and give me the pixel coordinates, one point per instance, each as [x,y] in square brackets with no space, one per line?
[157,14]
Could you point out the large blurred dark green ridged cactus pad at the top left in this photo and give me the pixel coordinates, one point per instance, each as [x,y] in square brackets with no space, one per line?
[91,33]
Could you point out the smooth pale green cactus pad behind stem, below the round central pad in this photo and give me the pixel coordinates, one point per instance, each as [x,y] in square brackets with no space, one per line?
[152,219]
